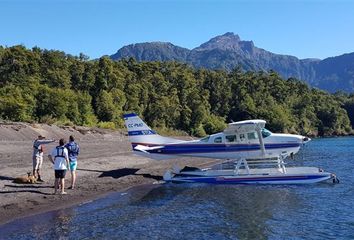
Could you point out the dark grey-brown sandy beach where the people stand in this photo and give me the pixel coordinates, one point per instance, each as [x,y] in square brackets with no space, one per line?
[106,164]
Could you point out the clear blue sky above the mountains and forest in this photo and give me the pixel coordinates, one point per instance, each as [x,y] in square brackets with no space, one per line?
[313,28]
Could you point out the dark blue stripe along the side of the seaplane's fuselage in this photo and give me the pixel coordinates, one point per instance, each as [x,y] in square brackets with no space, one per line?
[205,148]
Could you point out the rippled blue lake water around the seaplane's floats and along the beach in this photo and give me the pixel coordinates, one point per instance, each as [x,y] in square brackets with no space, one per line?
[200,211]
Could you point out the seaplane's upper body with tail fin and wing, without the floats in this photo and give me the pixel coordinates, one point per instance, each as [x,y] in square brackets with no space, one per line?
[245,139]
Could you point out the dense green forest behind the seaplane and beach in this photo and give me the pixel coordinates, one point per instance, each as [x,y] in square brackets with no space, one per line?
[50,86]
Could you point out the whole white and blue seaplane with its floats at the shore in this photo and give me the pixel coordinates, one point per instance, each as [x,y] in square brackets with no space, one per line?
[251,154]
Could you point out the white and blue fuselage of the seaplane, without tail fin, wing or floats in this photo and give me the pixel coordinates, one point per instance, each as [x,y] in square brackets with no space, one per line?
[219,146]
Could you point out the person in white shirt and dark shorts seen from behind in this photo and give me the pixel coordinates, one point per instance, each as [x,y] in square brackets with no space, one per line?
[60,158]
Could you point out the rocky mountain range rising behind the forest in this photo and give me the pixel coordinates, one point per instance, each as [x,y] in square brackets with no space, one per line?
[229,51]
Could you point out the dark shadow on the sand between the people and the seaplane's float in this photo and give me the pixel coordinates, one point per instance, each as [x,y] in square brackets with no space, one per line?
[122,172]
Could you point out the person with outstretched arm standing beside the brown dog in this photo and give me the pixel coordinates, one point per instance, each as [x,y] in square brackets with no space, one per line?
[37,156]
